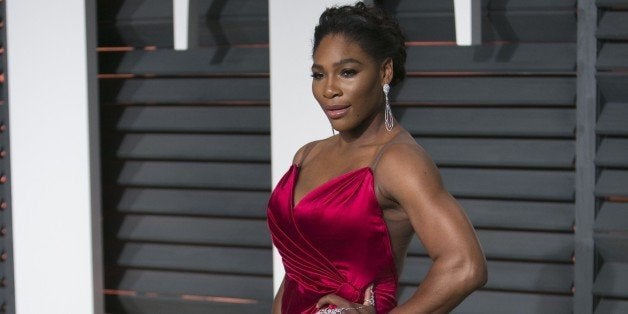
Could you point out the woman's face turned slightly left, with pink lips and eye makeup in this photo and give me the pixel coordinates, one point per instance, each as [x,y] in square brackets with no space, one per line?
[347,82]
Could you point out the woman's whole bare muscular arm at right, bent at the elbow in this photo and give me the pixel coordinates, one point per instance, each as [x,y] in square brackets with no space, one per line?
[408,178]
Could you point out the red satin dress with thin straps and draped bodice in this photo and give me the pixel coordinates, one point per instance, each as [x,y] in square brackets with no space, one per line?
[334,240]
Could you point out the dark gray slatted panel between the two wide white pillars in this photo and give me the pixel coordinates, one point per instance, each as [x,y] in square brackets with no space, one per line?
[186,165]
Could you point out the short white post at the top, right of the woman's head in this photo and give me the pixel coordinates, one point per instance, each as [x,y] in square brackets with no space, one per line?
[468,16]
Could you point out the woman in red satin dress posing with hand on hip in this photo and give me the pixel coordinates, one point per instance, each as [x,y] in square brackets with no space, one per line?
[343,215]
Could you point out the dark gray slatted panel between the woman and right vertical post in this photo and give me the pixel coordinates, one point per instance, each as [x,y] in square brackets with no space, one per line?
[499,119]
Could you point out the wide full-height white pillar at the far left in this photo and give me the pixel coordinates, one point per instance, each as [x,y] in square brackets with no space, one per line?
[53,127]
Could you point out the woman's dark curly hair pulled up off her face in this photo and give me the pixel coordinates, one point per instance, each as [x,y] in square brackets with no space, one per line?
[376,31]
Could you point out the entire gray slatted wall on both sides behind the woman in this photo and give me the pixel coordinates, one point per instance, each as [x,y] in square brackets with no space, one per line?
[185,138]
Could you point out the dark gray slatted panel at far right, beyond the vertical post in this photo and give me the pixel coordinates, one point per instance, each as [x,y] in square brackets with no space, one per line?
[611,159]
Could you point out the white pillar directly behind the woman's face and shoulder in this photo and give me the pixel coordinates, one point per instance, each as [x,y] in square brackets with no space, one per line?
[295,115]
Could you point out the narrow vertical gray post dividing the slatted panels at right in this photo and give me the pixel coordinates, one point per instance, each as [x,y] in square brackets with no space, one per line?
[586,109]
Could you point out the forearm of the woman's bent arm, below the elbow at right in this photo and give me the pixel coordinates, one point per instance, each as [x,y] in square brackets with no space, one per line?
[444,287]
